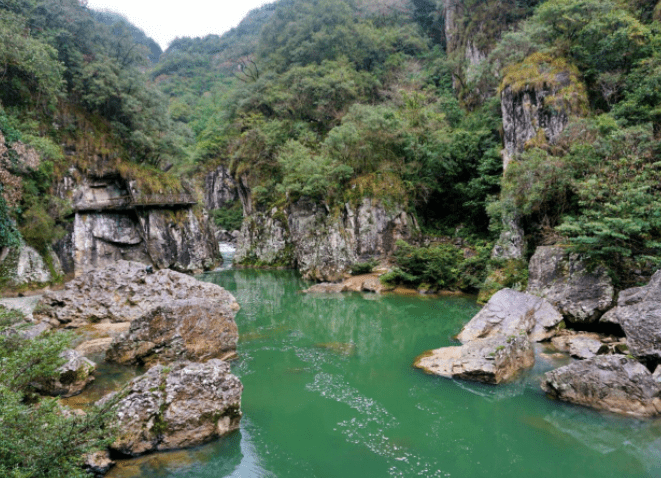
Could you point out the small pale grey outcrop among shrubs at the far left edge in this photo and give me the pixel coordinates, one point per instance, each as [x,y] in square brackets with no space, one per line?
[24,265]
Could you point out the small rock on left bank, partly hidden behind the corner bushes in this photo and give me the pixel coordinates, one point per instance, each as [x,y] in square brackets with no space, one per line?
[74,376]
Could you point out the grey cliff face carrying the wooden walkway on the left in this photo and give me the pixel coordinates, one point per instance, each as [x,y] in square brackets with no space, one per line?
[108,226]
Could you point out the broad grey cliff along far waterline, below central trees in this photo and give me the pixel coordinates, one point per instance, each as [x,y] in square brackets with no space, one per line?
[321,243]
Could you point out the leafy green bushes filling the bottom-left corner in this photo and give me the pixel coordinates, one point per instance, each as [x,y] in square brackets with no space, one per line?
[37,438]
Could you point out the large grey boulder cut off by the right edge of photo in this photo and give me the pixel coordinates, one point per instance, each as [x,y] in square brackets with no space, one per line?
[638,313]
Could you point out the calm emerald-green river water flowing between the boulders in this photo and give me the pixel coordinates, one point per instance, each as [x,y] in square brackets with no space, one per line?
[330,392]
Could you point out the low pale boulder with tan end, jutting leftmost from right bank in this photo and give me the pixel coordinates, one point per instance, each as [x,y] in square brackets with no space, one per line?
[491,360]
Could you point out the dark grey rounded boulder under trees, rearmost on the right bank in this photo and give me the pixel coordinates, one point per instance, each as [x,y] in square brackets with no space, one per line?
[564,280]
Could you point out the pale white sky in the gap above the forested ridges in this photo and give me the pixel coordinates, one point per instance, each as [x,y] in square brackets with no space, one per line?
[189,18]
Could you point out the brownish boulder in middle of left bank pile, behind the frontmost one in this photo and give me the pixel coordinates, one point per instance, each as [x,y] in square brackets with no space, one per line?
[195,330]
